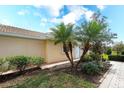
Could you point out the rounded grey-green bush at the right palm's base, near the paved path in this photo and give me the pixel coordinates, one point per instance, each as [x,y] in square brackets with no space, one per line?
[90,68]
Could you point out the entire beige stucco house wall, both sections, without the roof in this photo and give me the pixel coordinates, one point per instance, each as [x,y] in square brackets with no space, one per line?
[13,46]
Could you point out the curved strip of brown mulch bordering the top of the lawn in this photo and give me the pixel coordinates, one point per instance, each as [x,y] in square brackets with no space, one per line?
[16,77]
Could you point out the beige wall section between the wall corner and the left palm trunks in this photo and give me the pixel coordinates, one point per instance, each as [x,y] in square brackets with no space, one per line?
[54,52]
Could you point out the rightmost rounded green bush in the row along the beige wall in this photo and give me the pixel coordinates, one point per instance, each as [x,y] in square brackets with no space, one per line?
[36,60]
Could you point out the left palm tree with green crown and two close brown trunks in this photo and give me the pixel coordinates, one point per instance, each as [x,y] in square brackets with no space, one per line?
[64,34]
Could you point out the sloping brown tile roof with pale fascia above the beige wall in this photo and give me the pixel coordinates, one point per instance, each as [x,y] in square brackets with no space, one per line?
[19,32]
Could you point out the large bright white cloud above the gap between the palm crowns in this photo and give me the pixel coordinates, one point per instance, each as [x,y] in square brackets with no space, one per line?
[76,12]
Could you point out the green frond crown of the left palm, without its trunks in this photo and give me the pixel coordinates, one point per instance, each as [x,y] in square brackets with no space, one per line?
[63,33]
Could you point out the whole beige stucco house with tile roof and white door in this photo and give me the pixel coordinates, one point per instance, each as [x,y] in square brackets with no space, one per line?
[17,41]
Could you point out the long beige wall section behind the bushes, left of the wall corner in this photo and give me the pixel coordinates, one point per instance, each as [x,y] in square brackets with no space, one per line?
[12,46]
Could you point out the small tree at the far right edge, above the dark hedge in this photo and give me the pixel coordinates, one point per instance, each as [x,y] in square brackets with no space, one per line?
[119,47]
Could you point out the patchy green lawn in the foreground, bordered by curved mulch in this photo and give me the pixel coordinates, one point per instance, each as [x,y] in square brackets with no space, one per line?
[55,80]
